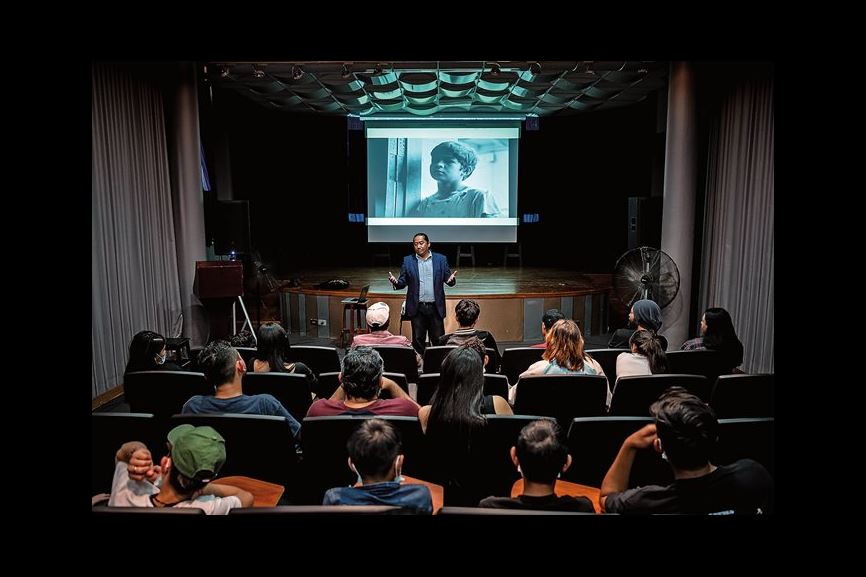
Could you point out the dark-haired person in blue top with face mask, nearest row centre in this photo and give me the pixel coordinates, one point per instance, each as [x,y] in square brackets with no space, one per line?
[375,456]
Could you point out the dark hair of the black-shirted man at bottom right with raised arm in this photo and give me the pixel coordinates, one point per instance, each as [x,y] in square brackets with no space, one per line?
[687,427]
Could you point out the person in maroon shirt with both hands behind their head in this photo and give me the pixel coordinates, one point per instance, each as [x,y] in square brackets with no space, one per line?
[361,381]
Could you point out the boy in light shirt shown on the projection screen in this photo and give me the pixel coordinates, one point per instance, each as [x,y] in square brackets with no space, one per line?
[450,164]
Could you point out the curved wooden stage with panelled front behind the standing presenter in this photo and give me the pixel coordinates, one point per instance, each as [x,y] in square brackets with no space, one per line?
[512,300]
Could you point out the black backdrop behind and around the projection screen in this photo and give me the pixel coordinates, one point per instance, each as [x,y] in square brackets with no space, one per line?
[302,174]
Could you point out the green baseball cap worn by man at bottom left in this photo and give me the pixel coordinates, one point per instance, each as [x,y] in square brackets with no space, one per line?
[197,452]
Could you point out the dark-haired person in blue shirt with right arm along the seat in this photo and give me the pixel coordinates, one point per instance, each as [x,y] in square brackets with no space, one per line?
[224,369]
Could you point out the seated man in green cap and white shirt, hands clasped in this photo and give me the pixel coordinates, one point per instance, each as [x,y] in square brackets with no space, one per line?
[182,479]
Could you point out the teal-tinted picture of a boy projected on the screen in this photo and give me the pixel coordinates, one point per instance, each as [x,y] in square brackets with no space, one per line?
[437,178]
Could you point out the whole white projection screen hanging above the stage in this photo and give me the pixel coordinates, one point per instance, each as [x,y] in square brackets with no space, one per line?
[460,179]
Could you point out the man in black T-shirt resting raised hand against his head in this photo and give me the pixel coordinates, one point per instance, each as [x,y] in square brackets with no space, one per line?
[685,432]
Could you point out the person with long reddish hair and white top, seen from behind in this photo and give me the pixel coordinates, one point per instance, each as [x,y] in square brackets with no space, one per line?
[564,355]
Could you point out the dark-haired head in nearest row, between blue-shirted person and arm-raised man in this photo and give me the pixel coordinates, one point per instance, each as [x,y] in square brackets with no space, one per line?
[540,451]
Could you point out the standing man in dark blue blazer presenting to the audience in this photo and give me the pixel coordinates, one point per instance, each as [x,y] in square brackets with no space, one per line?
[424,273]
